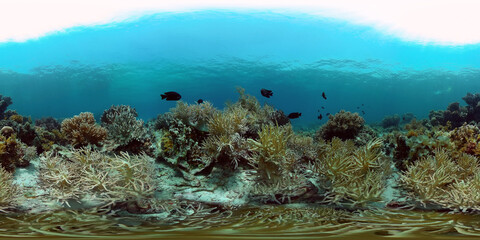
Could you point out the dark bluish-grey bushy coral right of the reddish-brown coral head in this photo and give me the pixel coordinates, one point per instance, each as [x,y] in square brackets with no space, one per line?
[124,128]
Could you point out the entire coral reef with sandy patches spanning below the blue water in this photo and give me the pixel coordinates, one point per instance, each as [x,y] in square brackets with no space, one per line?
[246,154]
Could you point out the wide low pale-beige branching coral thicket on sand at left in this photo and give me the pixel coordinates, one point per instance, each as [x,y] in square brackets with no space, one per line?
[84,173]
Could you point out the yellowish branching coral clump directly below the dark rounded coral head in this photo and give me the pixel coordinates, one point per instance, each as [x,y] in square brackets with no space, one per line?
[351,174]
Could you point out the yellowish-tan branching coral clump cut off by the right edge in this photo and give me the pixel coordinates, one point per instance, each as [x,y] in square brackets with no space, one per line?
[445,180]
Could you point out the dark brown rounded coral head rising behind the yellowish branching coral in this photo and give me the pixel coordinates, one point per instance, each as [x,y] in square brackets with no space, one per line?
[344,125]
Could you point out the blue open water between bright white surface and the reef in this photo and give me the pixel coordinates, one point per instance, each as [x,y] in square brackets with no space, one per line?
[206,54]
